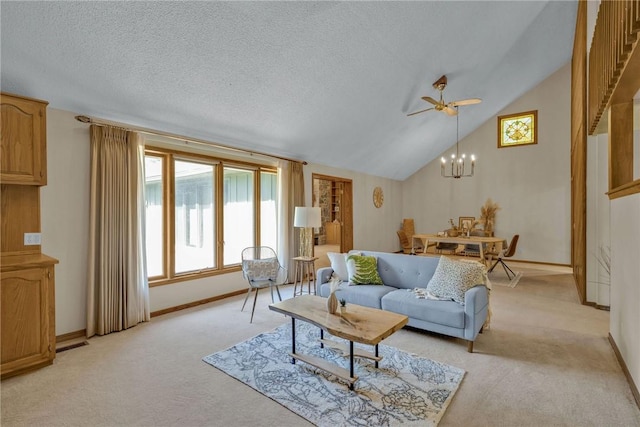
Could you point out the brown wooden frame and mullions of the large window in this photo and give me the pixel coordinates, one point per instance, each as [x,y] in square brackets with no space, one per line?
[168,199]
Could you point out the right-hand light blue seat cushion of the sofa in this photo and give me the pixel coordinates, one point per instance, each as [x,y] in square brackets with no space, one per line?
[404,301]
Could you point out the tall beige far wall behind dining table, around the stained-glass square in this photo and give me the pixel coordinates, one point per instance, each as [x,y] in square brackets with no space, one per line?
[532,184]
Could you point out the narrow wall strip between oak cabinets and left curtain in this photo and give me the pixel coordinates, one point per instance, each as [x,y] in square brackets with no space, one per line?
[64,213]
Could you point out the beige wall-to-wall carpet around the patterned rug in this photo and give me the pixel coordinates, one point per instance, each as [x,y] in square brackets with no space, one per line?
[545,361]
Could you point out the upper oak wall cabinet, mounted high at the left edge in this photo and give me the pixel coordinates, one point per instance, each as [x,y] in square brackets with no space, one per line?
[23,141]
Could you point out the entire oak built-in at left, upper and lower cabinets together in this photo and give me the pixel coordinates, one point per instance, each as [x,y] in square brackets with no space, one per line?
[27,297]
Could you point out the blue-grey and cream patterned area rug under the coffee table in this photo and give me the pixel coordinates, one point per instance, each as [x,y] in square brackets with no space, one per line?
[406,389]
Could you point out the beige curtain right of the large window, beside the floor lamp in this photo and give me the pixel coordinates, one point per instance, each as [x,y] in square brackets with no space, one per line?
[291,191]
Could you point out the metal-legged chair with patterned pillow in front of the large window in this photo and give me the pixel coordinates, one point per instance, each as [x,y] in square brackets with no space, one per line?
[261,268]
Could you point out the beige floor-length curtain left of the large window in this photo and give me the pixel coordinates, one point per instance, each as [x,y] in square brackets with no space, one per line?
[118,290]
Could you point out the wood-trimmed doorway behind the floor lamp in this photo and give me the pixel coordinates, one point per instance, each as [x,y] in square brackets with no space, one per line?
[333,195]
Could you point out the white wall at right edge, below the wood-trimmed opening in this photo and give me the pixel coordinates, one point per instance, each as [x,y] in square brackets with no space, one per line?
[625,280]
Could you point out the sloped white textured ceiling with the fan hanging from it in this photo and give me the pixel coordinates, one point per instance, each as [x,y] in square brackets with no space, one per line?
[326,82]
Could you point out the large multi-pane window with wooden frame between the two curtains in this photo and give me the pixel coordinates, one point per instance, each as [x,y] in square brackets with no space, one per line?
[187,235]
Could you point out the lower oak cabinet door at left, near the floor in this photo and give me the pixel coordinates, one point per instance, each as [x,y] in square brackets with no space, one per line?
[28,330]
